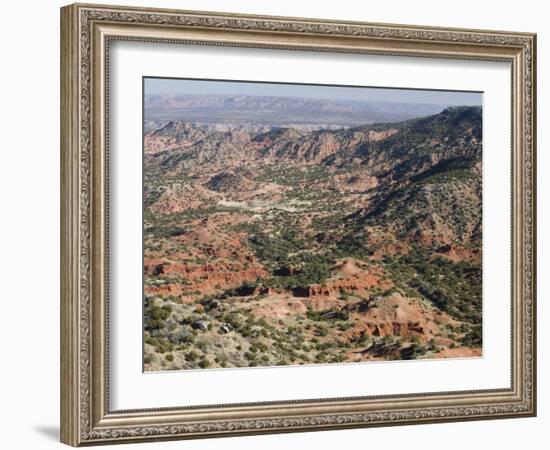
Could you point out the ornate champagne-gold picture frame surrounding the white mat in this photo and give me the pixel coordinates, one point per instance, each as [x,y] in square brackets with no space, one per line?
[86,31]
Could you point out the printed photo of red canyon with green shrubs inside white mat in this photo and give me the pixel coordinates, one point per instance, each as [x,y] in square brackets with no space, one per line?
[288,230]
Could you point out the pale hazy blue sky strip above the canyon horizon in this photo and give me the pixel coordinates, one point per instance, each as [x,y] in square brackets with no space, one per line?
[198,87]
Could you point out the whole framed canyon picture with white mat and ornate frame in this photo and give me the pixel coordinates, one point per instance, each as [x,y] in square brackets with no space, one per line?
[276,224]
